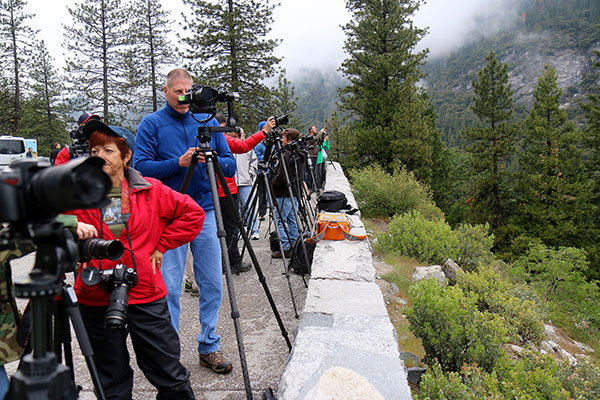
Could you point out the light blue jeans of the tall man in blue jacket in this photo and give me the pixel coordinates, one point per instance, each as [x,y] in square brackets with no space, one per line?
[206,250]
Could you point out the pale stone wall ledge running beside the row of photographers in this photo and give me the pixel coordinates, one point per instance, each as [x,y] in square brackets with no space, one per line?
[344,323]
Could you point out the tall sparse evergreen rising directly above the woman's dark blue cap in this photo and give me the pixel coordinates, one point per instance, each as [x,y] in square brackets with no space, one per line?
[97,39]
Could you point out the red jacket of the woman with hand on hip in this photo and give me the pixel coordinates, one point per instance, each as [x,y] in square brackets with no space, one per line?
[162,219]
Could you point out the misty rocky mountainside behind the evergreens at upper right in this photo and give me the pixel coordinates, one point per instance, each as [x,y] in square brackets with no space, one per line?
[560,33]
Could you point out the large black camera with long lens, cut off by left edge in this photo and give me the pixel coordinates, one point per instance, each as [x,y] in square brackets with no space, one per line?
[30,191]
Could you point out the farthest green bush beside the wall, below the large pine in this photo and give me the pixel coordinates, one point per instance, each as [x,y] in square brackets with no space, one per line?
[380,194]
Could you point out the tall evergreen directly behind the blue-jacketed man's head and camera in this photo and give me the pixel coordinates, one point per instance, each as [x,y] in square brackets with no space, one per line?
[225,46]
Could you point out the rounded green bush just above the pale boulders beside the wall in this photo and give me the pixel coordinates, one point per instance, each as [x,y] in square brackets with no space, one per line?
[416,236]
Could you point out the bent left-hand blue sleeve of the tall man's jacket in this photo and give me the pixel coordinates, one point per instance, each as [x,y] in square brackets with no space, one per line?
[145,156]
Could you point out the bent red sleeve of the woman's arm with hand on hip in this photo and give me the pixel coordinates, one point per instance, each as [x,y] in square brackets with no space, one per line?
[185,217]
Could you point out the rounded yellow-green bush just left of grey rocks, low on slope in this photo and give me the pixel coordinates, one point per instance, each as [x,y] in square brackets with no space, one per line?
[452,329]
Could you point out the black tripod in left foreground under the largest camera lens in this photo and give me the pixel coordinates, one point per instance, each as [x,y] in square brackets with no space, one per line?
[40,375]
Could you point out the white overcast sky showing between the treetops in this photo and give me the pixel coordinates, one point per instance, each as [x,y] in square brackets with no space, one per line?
[310,29]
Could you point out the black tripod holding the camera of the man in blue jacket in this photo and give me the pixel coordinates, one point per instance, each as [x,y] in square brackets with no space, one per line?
[204,134]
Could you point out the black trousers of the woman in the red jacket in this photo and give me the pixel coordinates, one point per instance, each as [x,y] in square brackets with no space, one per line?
[156,346]
